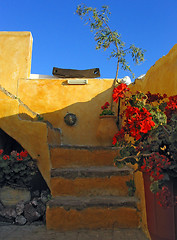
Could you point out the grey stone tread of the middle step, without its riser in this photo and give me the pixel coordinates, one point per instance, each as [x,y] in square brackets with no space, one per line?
[93,171]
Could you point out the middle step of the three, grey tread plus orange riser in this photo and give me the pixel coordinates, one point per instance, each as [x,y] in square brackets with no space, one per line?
[90,181]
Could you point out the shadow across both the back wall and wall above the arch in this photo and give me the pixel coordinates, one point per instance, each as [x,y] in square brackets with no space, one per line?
[33,134]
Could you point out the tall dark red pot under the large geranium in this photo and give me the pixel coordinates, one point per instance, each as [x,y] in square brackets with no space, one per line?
[161,221]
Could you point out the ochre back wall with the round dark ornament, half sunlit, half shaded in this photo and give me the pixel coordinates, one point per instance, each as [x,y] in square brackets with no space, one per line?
[53,99]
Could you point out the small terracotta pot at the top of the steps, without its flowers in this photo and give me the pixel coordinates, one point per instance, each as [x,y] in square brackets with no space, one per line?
[106,129]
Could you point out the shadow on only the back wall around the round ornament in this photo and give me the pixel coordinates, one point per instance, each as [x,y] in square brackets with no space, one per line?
[87,114]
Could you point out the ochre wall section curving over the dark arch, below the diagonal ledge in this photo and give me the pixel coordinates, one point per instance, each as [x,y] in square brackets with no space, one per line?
[31,135]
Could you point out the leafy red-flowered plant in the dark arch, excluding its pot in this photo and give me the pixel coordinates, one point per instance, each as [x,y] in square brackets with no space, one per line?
[16,169]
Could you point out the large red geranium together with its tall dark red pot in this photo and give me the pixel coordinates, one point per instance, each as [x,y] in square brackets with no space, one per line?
[150,123]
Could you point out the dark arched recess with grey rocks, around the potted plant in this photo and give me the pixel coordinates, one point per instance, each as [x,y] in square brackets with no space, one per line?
[25,211]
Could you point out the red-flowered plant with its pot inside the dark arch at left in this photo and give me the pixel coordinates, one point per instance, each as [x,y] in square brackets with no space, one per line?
[16,172]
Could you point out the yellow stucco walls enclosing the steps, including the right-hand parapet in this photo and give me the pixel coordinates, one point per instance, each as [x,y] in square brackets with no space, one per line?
[53,98]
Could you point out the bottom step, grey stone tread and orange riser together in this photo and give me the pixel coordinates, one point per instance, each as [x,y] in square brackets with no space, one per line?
[72,213]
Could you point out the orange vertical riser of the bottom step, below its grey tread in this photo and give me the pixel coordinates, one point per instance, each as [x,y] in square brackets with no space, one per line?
[57,218]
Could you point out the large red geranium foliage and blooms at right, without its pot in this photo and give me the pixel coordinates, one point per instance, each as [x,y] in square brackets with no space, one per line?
[150,121]
